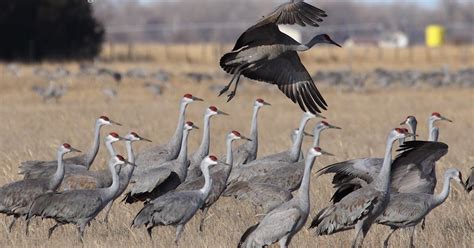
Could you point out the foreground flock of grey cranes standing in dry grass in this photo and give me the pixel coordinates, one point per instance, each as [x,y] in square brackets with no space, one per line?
[173,185]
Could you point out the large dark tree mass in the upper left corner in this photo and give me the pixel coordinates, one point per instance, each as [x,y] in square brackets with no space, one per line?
[35,30]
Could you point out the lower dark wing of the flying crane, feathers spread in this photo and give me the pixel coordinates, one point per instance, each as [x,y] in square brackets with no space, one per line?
[296,83]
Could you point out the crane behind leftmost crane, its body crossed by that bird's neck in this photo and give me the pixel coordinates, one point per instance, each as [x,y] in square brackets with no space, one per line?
[35,169]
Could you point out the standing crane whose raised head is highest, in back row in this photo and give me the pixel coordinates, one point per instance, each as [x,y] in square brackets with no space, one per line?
[159,154]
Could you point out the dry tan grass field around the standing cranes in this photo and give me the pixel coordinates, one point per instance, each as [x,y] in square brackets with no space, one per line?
[31,129]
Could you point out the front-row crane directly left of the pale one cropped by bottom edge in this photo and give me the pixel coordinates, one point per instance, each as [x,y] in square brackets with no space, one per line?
[177,207]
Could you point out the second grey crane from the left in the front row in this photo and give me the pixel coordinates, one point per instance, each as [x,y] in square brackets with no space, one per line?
[77,207]
